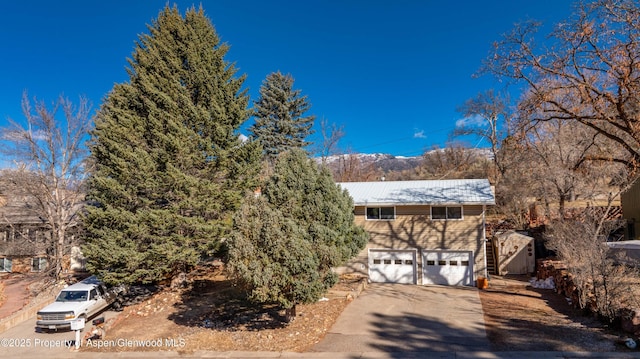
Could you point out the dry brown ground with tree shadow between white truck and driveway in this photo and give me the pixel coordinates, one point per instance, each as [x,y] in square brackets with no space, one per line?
[212,315]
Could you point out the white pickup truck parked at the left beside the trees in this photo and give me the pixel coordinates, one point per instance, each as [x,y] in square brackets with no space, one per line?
[84,299]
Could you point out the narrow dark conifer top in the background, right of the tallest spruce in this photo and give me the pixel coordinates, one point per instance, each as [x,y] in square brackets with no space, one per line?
[280,123]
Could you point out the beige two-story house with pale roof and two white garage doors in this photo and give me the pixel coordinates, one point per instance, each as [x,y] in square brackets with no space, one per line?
[422,232]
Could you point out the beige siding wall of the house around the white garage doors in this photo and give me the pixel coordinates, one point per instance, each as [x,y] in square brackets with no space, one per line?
[413,228]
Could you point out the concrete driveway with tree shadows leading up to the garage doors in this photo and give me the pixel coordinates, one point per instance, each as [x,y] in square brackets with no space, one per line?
[409,318]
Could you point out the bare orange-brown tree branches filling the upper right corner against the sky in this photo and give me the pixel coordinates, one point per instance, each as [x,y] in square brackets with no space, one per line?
[589,73]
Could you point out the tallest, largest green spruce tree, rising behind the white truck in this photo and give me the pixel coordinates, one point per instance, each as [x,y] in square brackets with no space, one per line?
[170,169]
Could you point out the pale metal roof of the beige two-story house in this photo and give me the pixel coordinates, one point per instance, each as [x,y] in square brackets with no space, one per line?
[439,192]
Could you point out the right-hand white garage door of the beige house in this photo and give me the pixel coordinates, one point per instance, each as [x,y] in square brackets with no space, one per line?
[447,267]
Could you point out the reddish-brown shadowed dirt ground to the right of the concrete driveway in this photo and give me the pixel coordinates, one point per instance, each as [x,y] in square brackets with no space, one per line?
[521,318]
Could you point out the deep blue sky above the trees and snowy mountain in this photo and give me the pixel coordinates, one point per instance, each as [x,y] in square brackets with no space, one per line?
[392,73]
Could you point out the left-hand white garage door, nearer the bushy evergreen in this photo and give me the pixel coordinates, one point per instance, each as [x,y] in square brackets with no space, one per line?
[392,266]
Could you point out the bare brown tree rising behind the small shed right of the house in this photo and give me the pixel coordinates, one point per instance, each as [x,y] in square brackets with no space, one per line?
[553,160]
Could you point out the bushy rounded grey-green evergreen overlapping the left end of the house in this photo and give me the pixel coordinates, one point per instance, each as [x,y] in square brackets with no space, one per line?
[286,241]
